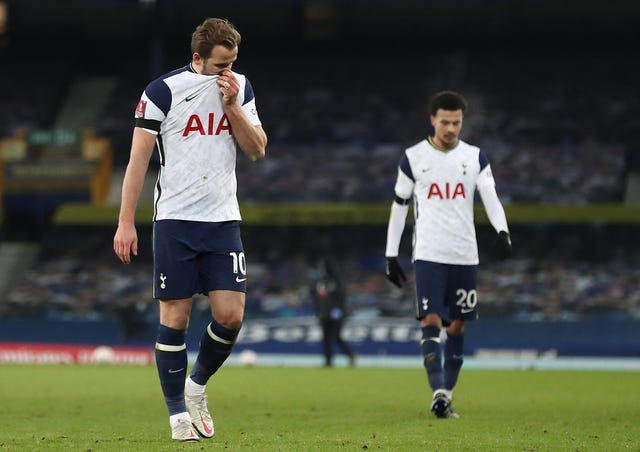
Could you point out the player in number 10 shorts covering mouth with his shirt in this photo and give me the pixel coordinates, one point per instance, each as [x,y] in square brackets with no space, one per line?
[197,116]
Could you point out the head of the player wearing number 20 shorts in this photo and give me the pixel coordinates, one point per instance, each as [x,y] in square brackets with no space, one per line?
[446,111]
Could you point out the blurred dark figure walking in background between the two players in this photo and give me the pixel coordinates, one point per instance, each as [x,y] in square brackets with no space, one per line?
[330,298]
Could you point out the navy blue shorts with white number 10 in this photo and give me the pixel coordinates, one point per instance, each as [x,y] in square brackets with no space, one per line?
[193,257]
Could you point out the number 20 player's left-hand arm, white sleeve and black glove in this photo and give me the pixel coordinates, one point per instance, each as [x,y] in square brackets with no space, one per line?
[397,222]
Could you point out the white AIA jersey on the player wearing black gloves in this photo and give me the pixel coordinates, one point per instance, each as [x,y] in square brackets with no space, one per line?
[443,184]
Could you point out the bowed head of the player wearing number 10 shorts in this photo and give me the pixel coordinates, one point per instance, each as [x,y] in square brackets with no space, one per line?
[214,45]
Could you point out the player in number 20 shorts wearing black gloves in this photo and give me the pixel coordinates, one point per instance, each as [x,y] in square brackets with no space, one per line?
[440,175]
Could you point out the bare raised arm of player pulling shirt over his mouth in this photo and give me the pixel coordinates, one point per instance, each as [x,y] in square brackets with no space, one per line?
[251,139]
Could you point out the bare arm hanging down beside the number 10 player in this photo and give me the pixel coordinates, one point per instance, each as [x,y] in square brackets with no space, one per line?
[125,240]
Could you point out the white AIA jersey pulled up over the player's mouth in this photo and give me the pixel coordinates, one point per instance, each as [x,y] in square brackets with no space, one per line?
[197,179]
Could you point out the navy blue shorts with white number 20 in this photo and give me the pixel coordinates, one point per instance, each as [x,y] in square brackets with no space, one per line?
[446,290]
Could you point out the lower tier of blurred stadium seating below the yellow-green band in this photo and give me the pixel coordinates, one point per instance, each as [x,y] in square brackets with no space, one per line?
[553,275]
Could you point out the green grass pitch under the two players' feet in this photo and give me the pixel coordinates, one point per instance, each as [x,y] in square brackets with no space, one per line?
[96,408]
